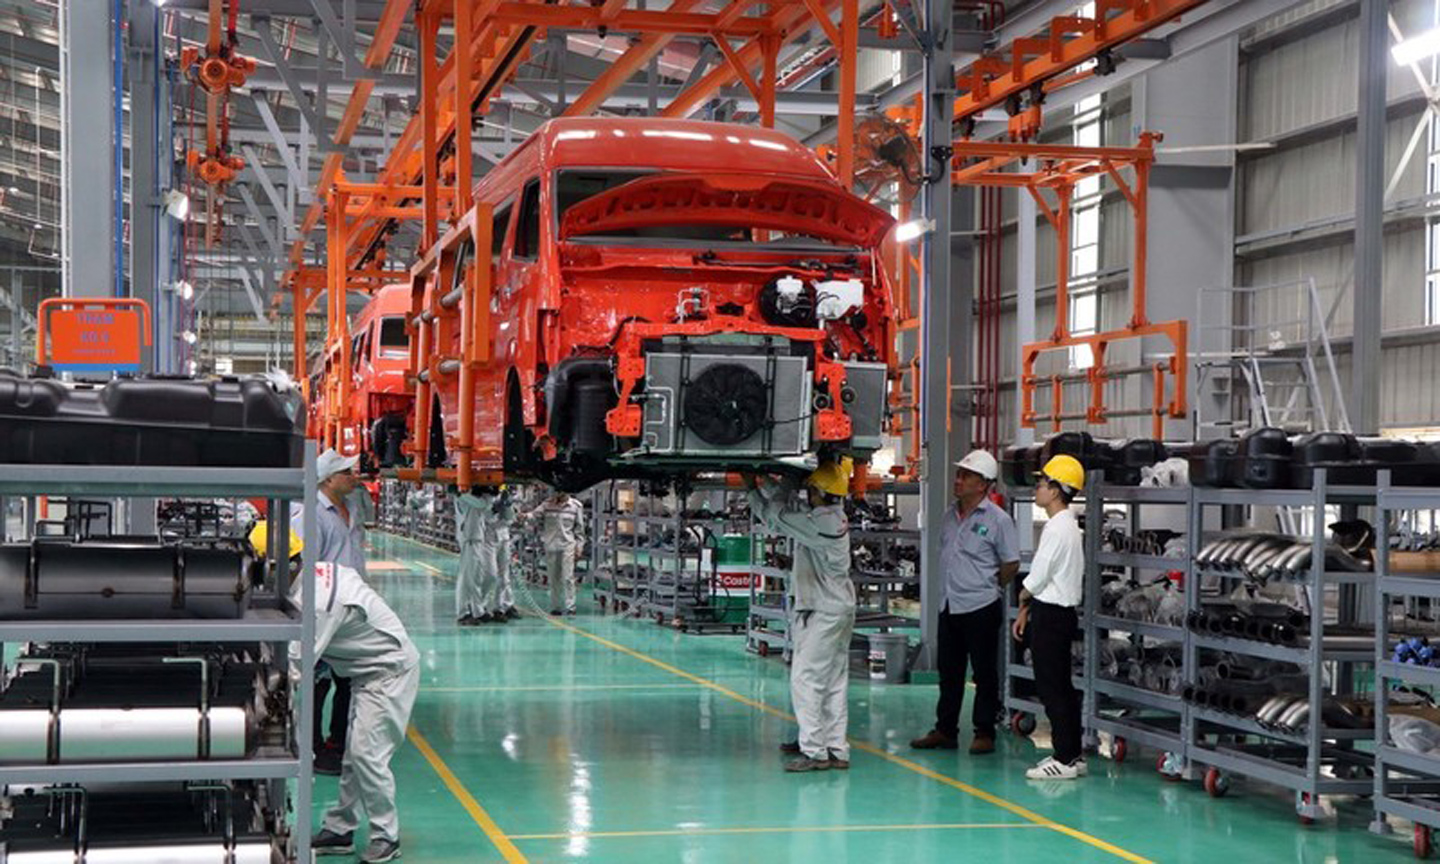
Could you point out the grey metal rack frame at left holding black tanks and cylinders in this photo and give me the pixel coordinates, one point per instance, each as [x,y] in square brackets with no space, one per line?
[270,620]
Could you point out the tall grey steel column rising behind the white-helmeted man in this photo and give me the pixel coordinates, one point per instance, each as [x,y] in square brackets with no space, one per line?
[935,333]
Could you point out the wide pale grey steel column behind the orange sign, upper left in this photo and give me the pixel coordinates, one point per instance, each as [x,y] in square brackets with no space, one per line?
[87,142]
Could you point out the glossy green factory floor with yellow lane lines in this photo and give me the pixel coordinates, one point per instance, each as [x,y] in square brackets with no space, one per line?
[575,750]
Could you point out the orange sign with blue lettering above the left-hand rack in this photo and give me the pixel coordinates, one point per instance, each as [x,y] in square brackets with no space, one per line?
[94,335]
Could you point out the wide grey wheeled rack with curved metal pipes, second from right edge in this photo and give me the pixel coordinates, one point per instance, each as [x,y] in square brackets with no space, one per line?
[1321,761]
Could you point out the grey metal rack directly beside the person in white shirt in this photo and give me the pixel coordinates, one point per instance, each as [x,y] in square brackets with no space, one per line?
[1117,708]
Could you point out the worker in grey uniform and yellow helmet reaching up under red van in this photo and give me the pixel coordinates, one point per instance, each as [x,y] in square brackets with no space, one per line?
[823,610]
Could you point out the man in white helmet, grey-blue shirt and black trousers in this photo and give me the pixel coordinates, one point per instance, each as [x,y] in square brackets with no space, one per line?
[980,555]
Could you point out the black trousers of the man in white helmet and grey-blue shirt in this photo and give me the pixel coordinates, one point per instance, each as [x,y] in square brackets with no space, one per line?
[970,640]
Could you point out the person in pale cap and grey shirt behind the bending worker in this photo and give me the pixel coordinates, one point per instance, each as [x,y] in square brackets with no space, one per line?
[341,515]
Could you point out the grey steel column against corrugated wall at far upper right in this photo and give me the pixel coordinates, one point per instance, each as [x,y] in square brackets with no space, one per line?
[1370,204]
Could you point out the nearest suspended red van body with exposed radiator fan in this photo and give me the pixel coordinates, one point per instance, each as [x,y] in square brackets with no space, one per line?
[665,297]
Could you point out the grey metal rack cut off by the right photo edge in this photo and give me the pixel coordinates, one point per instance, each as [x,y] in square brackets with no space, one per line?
[1408,784]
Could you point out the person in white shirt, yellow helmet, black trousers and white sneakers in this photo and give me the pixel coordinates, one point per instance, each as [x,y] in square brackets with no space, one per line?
[1049,600]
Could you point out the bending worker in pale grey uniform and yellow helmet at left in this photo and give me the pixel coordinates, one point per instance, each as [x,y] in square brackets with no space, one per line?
[364,640]
